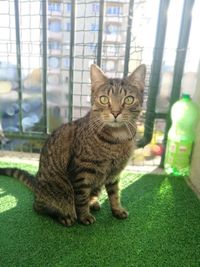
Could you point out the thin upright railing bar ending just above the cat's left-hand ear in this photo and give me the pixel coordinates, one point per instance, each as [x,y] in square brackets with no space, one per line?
[100,32]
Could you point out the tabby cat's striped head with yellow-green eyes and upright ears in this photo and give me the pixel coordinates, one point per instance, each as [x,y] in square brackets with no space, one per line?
[117,101]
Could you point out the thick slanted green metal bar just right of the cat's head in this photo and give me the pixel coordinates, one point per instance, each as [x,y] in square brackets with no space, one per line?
[155,73]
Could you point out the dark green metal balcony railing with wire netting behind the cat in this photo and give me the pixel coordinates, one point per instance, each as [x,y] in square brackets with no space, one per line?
[46,48]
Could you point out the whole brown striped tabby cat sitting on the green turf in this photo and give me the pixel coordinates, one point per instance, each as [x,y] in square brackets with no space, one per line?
[82,156]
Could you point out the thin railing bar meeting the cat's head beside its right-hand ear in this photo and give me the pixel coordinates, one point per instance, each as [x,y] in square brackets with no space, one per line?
[128,38]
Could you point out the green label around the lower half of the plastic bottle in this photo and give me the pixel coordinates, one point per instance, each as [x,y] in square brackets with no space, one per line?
[178,154]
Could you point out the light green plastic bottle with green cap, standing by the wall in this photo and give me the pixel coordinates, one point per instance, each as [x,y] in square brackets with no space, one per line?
[181,136]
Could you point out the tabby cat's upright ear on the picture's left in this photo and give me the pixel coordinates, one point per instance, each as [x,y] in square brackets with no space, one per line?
[97,76]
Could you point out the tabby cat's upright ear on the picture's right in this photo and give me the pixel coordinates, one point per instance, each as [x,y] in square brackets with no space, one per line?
[138,76]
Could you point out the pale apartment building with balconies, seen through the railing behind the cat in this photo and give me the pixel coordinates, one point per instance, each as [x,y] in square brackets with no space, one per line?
[86,46]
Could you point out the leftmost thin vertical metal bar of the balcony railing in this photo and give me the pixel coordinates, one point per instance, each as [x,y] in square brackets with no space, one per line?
[19,67]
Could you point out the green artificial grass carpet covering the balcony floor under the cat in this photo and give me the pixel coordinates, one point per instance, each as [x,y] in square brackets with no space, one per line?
[163,228]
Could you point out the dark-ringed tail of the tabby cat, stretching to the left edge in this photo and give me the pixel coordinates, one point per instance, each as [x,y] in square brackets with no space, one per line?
[21,175]
